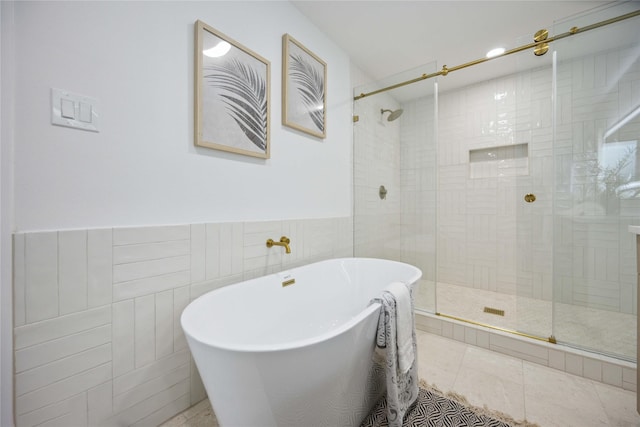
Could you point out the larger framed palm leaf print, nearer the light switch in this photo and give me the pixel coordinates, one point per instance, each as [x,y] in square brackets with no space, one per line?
[232,95]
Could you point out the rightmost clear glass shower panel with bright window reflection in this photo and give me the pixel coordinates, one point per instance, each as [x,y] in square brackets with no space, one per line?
[597,188]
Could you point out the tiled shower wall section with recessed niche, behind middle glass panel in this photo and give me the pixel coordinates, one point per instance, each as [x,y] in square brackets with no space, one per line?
[488,237]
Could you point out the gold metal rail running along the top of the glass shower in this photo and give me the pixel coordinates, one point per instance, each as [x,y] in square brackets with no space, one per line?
[535,45]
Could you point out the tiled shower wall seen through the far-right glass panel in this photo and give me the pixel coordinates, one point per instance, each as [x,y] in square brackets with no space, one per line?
[595,263]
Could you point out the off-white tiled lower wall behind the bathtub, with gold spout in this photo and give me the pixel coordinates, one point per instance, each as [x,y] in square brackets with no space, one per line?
[97,331]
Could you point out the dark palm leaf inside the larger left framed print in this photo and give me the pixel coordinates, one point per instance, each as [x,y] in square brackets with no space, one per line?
[244,93]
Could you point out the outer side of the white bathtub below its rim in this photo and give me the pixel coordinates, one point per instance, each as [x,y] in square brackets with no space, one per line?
[263,392]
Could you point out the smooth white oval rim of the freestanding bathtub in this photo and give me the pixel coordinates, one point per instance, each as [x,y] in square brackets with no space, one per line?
[305,342]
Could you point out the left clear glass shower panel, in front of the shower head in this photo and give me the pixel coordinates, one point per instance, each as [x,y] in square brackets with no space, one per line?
[395,167]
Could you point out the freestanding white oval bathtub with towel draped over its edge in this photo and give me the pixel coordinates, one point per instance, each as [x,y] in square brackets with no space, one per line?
[275,353]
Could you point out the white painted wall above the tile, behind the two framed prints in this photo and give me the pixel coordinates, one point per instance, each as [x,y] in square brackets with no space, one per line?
[142,168]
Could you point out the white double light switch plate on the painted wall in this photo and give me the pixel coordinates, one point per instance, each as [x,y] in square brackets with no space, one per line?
[74,110]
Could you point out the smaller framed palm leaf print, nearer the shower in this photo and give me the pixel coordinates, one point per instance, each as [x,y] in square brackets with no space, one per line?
[304,94]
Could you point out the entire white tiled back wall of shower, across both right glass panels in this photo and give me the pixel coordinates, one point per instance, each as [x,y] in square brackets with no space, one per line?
[488,237]
